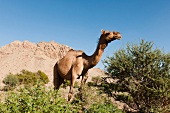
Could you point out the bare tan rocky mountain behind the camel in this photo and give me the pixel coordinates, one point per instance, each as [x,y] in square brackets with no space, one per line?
[18,55]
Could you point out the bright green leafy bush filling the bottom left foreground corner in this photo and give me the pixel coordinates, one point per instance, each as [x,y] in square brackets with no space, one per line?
[36,100]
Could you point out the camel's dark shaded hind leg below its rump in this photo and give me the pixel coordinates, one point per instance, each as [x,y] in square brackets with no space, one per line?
[57,79]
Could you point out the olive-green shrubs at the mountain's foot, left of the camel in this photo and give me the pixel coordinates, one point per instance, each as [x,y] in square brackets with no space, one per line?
[26,78]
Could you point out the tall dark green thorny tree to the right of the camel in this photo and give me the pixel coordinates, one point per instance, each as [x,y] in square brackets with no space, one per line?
[144,74]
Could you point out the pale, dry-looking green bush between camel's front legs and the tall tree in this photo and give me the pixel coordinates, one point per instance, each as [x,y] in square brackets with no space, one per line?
[90,100]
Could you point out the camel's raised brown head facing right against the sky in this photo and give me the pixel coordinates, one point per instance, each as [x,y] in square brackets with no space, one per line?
[108,36]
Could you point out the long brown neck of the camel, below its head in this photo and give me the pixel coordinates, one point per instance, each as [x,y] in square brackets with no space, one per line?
[95,58]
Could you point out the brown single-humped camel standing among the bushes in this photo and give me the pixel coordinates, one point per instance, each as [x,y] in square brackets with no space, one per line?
[76,63]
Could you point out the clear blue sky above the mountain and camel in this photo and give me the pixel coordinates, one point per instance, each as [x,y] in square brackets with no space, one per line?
[77,23]
